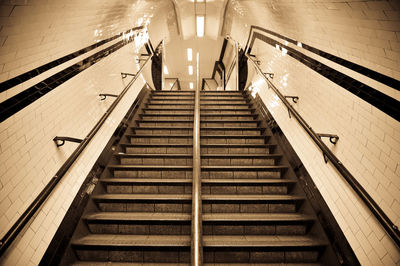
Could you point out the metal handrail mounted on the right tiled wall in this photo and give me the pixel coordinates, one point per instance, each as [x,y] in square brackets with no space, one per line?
[380,215]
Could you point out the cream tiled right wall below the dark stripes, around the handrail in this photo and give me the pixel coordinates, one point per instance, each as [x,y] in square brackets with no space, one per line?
[368,146]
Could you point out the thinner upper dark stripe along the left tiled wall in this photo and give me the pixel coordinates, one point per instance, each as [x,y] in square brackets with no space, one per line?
[39,70]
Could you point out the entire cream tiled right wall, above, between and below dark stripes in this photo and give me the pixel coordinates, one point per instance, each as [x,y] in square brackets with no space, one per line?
[364,32]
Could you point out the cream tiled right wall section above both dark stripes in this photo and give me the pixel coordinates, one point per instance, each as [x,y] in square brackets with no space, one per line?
[366,32]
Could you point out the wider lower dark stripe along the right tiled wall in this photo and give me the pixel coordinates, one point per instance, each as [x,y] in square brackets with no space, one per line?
[383,102]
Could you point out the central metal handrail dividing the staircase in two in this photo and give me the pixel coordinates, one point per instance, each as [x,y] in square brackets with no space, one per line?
[196,242]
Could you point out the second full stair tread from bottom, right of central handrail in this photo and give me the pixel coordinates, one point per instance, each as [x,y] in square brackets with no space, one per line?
[264,217]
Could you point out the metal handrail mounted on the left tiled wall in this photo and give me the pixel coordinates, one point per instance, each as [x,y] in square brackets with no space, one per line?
[16,228]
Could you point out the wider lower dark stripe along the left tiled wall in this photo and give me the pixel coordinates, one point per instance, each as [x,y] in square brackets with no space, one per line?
[16,103]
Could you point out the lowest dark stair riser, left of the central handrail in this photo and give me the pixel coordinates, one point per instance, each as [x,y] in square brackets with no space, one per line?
[140,255]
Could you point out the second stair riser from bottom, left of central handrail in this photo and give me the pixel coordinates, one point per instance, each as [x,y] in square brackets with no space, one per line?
[142,228]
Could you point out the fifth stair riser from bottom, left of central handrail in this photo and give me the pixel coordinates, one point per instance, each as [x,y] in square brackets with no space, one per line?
[153,174]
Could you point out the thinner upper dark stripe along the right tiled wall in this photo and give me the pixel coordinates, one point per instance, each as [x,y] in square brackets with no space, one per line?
[389,81]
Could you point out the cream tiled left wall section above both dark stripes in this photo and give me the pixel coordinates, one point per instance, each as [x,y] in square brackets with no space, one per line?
[35,32]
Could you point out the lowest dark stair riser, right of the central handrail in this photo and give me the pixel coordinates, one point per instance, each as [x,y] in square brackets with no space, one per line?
[259,256]
